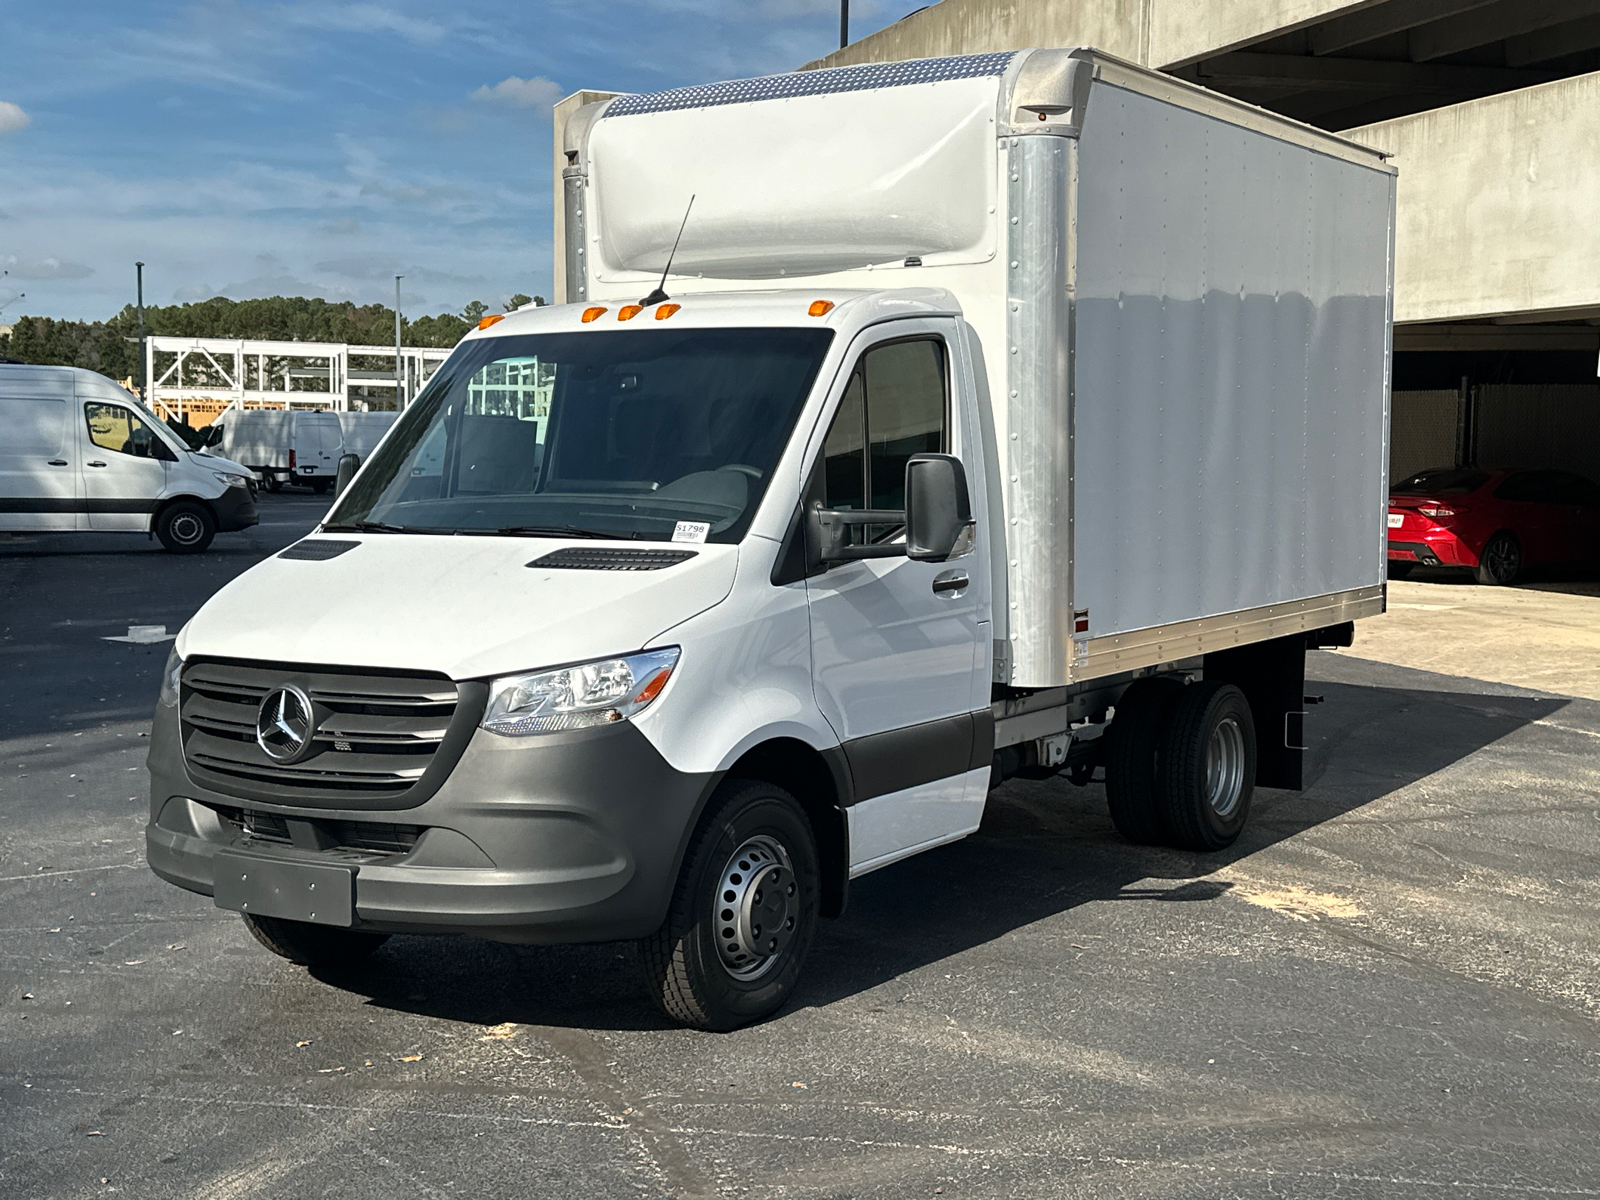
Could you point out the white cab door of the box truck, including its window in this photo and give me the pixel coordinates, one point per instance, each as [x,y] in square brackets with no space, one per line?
[900,647]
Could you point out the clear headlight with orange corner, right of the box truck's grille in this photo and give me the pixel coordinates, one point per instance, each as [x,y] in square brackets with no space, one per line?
[574,698]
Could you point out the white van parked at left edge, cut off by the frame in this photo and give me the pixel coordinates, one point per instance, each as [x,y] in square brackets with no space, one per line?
[79,454]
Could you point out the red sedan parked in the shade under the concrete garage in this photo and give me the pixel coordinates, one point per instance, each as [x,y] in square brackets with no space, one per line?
[1494,521]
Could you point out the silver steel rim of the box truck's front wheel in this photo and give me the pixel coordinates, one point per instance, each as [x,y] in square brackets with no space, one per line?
[756,908]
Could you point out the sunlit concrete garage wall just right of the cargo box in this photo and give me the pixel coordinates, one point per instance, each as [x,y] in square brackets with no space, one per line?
[1497,204]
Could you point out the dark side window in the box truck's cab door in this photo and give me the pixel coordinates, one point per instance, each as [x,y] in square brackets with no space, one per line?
[895,407]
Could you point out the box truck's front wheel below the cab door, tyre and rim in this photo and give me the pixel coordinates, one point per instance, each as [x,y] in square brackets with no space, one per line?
[743,911]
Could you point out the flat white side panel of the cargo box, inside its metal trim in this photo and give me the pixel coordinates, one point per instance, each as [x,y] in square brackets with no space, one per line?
[1231,367]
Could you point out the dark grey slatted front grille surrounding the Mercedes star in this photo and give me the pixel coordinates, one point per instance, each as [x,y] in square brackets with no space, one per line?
[375,742]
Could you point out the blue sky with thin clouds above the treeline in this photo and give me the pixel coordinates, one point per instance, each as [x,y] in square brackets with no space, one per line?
[321,148]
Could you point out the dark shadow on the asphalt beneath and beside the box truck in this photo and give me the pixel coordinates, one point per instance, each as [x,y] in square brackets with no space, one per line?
[1046,849]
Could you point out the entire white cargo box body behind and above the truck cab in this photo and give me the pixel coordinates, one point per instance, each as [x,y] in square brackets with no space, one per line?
[1183,306]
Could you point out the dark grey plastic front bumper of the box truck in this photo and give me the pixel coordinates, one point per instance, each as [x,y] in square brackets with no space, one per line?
[564,838]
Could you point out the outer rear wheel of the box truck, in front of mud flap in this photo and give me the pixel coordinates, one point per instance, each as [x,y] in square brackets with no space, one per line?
[1209,767]
